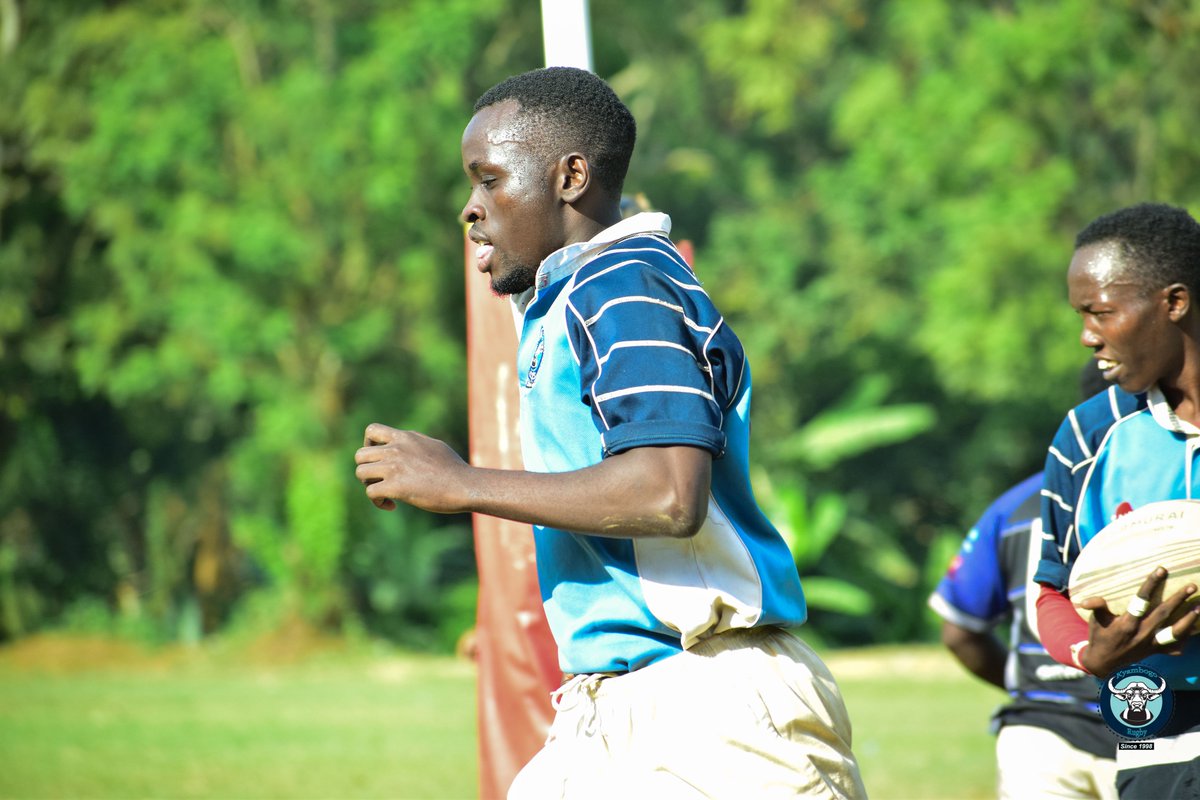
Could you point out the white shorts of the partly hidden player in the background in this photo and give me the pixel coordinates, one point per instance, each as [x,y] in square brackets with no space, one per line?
[1036,763]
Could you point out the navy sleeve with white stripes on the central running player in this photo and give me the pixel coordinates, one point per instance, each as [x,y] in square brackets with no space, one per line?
[658,365]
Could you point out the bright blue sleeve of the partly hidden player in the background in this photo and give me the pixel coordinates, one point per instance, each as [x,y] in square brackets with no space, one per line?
[973,593]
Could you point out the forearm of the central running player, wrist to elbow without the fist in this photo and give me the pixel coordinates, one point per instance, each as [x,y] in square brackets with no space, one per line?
[645,492]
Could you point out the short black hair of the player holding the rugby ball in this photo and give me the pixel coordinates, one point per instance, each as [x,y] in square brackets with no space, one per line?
[1161,244]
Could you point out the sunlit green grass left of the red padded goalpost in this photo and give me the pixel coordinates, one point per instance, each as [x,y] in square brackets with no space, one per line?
[329,727]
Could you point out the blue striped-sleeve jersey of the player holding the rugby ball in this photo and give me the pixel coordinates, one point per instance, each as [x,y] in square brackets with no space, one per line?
[1114,454]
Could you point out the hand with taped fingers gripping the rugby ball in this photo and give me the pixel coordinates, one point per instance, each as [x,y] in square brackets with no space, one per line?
[1120,640]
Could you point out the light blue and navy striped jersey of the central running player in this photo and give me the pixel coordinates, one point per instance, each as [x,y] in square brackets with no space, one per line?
[621,348]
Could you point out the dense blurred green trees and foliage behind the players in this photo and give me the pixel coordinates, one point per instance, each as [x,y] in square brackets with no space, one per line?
[229,242]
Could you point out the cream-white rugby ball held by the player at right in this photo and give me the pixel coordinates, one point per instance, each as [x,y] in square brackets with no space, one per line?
[1118,561]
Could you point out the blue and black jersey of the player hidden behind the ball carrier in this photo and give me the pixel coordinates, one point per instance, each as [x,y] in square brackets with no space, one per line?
[987,586]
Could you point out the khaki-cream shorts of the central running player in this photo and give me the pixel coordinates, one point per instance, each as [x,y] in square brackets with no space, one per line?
[745,714]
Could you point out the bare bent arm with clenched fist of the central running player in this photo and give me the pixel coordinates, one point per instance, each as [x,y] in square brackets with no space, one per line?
[641,492]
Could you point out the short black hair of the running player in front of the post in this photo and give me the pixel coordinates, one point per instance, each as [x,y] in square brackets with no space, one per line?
[574,111]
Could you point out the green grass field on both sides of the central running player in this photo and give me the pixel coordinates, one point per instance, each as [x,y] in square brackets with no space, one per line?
[88,719]
